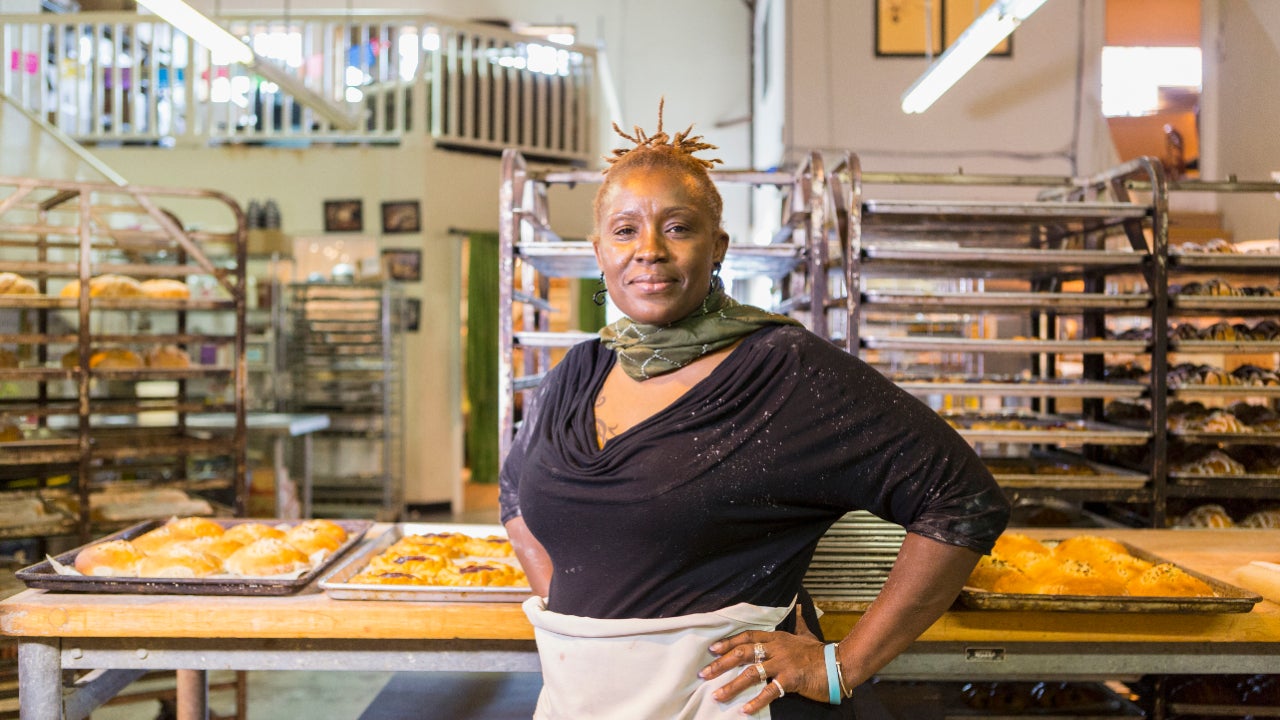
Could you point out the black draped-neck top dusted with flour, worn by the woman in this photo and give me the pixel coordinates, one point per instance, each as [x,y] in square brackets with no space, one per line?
[723,496]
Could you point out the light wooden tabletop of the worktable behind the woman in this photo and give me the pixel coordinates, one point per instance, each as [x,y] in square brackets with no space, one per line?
[312,614]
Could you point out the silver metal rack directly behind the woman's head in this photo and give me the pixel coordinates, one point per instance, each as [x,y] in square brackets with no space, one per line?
[804,261]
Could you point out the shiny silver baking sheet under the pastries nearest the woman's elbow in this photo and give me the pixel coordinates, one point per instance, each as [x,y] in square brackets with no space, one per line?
[336,585]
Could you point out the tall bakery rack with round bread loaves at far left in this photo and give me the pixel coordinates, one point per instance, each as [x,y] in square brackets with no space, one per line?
[85,429]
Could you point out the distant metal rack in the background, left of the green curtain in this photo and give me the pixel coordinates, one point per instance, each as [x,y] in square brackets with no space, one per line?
[346,361]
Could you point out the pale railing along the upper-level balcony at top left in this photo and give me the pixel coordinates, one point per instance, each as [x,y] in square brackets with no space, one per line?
[129,79]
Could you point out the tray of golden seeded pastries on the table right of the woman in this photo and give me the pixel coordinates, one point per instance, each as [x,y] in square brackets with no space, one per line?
[1092,575]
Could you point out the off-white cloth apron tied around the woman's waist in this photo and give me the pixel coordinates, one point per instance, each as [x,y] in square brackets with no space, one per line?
[641,669]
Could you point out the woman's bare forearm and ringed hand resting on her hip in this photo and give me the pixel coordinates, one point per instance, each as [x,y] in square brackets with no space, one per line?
[924,584]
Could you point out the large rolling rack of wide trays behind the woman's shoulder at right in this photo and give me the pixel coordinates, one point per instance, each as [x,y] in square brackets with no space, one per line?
[998,315]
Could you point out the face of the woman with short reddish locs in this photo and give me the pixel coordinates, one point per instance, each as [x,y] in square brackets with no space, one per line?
[657,245]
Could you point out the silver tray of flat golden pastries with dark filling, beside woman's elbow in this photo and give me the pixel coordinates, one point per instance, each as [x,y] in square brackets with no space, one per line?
[432,562]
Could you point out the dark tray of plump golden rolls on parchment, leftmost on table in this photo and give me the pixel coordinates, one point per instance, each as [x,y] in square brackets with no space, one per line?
[198,555]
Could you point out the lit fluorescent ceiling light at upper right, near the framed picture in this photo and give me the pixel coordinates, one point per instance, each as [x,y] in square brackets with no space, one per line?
[981,38]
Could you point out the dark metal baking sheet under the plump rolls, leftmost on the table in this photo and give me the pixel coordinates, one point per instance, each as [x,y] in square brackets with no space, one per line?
[44,576]
